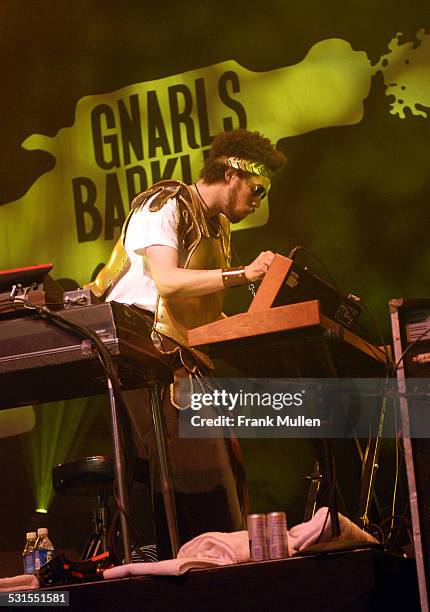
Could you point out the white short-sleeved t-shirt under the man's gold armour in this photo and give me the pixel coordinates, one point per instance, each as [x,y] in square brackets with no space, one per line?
[145,229]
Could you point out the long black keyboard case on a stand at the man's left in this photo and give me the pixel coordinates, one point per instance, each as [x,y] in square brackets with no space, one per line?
[41,361]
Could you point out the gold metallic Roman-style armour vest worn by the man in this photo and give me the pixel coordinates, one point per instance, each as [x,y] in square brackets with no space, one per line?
[202,245]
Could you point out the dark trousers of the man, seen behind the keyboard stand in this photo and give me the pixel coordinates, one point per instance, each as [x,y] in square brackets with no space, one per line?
[205,475]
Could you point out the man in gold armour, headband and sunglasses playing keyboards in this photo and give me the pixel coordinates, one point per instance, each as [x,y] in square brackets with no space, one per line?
[172,260]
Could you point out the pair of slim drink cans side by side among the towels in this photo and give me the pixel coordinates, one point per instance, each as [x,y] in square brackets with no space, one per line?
[268,536]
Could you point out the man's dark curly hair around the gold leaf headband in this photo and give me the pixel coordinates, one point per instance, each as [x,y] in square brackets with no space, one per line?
[241,143]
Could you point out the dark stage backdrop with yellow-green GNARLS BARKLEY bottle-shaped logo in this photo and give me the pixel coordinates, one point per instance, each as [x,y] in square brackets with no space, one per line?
[100,99]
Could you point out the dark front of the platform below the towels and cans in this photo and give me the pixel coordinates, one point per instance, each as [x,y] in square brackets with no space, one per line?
[351,581]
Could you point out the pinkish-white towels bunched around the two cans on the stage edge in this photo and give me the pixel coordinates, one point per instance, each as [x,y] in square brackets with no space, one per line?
[215,548]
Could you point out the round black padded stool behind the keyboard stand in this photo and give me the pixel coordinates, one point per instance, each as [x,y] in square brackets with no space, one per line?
[94,477]
